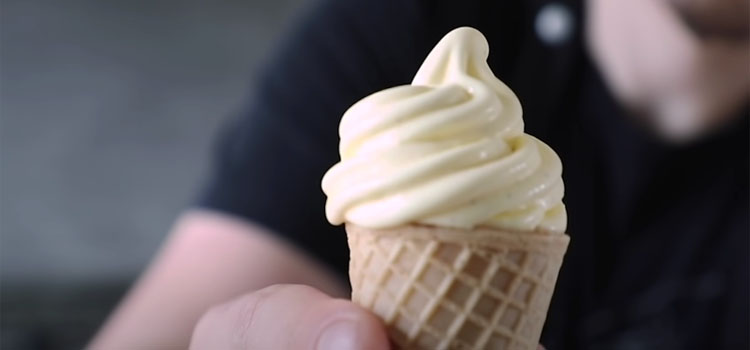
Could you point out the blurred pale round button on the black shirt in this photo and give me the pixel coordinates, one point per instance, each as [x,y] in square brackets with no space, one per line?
[554,24]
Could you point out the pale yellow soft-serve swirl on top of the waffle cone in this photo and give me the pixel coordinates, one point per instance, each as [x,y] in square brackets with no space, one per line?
[448,150]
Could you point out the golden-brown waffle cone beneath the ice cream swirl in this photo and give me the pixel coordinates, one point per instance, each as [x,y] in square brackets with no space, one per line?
[440,288]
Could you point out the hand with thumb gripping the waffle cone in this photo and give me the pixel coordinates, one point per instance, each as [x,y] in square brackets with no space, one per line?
[288,317]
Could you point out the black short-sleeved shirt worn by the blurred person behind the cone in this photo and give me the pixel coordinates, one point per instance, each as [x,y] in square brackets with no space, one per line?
[659,250]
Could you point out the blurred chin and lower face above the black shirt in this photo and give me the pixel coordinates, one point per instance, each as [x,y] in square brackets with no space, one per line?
[680,67]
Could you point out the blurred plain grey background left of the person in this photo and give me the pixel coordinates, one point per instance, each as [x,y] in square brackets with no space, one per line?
[107,113]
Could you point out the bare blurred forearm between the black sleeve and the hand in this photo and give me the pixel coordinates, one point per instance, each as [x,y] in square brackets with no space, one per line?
[209,258]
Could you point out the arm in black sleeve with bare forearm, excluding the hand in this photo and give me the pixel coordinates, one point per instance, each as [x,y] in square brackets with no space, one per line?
[267,170]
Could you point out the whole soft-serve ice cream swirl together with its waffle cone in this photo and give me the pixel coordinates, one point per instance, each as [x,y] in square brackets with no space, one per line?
[449,150]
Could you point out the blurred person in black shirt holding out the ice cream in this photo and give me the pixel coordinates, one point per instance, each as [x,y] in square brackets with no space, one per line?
[645,101]
